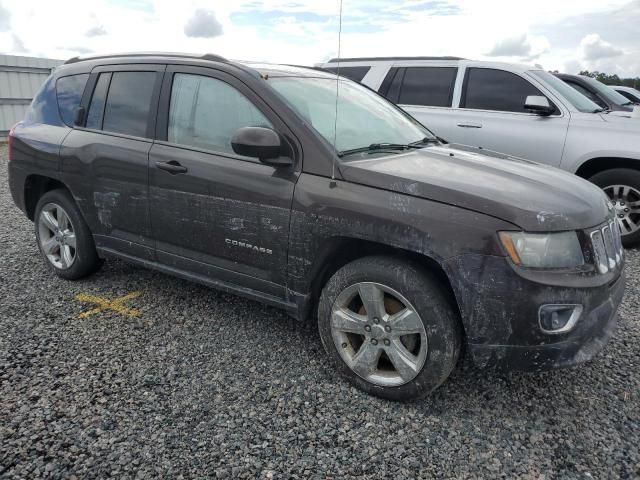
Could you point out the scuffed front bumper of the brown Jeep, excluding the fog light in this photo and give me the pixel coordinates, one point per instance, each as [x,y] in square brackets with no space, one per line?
[499,309]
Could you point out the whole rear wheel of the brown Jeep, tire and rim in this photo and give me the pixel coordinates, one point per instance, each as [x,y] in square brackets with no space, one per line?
[67,247]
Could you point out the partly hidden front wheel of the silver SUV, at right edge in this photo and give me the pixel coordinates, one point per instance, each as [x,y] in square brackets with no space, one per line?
[614,182]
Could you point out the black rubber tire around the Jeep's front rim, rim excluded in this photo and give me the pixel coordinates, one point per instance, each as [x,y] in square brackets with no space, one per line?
[438,315]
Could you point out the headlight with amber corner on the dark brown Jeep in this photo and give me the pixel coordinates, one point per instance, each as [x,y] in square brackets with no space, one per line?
[543,250]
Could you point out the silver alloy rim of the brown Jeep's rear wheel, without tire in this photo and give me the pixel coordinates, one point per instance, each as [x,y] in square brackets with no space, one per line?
[57,236]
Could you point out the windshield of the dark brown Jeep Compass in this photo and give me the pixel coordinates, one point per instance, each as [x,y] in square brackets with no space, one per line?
[364,118]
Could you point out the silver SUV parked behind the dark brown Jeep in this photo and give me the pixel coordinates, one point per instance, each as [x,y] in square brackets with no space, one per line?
[519,110]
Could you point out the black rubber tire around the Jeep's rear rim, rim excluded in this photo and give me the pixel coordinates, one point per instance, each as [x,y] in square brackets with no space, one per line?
[86,261]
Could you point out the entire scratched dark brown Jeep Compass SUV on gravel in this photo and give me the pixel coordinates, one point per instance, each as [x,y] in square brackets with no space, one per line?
[406,250]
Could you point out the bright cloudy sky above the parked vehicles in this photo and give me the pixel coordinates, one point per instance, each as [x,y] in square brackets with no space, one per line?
[564,35]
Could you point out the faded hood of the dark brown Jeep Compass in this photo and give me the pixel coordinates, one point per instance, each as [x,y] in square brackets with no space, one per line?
[529,195]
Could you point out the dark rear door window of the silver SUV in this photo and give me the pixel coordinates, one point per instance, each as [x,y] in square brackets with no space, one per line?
[428,86]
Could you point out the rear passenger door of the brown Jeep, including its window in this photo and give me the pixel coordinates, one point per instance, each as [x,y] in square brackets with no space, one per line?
[106,159]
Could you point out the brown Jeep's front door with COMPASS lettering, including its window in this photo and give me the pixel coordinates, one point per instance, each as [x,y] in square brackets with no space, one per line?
[212,210]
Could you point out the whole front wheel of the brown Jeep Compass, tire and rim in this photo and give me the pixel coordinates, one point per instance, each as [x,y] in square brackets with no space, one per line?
[366,349]
